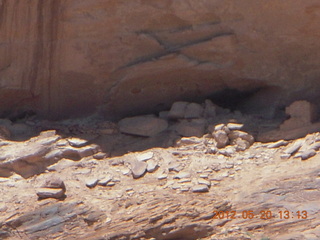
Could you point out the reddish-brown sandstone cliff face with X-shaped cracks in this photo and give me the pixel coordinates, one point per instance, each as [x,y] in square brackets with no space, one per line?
[63,58]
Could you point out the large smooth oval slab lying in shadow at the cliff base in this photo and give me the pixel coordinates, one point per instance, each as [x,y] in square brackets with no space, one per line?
[146,126]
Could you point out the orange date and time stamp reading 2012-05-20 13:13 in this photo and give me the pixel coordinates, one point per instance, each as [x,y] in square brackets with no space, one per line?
[263,214]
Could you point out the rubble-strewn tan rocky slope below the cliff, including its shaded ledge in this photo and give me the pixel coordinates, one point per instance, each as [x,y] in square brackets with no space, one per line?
[196,171]
